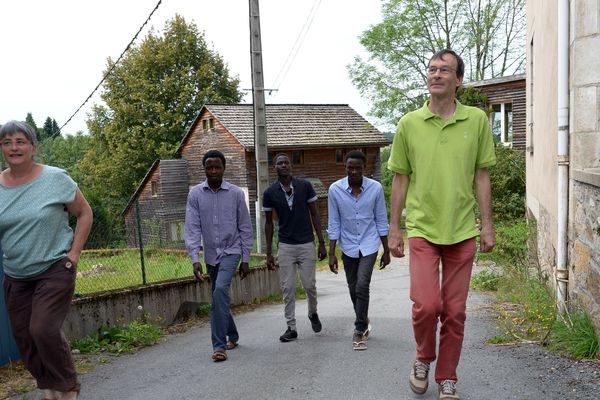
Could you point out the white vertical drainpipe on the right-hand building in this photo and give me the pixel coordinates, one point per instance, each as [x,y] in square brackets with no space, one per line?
[562,273]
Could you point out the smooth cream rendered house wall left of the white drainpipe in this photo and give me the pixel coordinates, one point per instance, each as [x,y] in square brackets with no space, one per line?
[541,148]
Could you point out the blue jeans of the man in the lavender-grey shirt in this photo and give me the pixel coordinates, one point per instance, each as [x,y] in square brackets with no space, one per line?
[222,326]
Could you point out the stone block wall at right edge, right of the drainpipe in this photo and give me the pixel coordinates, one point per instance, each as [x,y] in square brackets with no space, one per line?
[584,127]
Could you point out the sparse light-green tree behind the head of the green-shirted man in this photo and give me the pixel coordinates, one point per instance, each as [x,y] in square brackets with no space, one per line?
[488,34]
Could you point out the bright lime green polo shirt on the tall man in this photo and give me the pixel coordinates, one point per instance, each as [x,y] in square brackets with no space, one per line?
[441,160]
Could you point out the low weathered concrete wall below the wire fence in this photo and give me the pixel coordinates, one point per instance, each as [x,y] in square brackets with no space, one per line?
[161,301]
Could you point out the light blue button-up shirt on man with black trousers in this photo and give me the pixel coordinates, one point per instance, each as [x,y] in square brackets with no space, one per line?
[357,222]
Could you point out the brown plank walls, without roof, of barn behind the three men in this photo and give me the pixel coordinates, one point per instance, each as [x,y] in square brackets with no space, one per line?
[175,177]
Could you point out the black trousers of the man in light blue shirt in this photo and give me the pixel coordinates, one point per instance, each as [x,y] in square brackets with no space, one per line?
[358,275]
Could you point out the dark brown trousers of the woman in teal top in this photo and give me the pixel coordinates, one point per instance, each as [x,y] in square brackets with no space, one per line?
[37,308]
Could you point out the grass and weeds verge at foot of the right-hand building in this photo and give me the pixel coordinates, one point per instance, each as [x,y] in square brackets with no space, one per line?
[525,309]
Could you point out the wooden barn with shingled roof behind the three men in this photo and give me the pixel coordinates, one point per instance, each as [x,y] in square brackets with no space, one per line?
[316,137]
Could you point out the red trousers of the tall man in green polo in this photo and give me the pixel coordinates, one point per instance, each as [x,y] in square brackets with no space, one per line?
[445,301]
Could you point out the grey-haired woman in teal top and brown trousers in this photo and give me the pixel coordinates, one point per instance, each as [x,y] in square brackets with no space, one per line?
[40,258]
